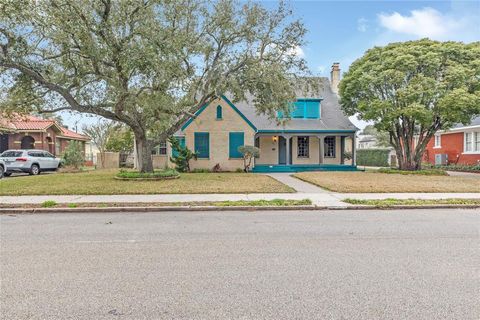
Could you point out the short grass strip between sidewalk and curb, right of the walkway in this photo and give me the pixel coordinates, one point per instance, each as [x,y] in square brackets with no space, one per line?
[390,202]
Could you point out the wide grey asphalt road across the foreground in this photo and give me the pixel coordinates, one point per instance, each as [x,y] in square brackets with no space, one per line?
[241,265]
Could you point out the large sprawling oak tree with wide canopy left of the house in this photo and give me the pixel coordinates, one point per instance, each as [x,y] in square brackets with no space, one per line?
[149,64]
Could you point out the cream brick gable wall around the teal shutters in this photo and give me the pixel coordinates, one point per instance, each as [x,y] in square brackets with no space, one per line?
[219,135]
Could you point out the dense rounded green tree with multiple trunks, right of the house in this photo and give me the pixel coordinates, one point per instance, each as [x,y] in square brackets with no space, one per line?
[413,89]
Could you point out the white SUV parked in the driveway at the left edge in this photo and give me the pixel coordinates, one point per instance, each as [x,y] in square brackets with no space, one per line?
[29,161]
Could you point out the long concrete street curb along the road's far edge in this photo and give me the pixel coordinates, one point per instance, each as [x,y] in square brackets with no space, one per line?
[214,208]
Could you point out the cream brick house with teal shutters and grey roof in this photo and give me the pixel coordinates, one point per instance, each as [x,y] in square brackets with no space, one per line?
[317,137]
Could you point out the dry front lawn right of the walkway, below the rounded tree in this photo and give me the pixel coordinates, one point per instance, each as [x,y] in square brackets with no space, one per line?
[369,182]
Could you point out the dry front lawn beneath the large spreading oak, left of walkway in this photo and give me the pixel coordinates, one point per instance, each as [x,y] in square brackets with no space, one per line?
[102,182]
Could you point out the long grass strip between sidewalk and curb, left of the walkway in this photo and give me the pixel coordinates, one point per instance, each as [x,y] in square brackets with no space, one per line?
[238,203]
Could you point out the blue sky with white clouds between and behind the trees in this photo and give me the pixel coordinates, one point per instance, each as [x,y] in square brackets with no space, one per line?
[341,31]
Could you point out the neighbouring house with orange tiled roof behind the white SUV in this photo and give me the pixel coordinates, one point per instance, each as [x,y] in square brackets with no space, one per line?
[30,132]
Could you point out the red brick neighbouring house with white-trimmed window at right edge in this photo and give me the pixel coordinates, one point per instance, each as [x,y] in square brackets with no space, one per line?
[458,145]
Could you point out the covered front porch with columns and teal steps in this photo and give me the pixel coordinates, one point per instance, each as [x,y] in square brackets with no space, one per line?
[305,151]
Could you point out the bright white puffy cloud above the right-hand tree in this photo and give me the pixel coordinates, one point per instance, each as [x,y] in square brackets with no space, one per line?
[426,22]
